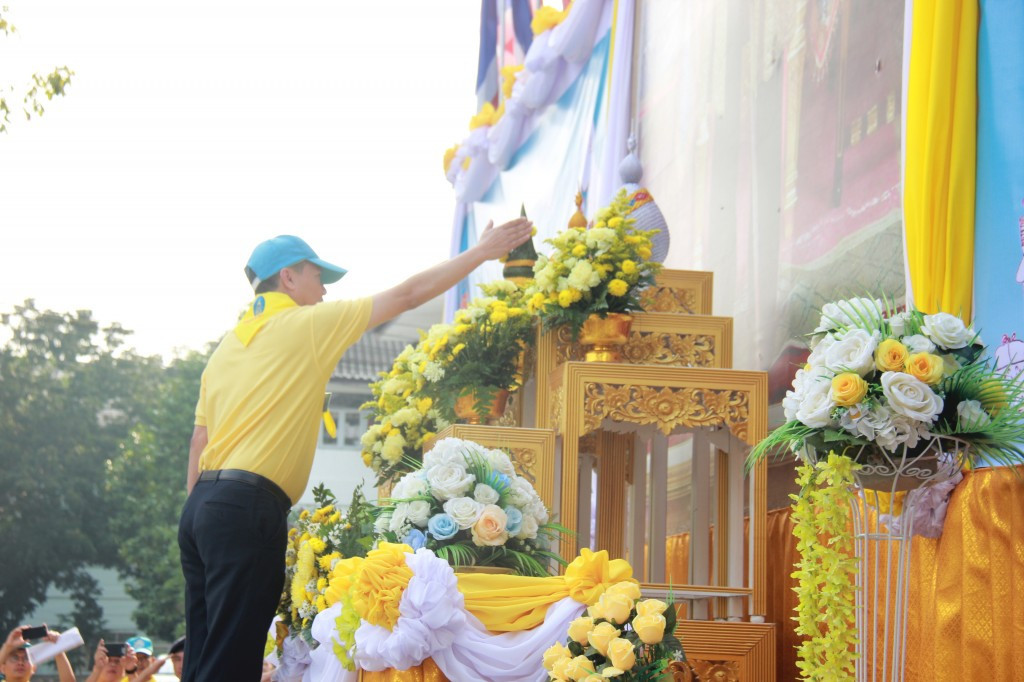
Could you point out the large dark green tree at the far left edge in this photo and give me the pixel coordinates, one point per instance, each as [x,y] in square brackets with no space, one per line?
[70,396]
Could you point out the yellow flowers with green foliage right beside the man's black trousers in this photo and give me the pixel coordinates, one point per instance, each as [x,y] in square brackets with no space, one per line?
[319,541]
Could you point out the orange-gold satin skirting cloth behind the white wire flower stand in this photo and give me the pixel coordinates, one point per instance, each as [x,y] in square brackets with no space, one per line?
[967,588]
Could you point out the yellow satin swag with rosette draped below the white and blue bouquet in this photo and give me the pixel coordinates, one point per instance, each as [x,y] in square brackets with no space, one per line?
[510,604]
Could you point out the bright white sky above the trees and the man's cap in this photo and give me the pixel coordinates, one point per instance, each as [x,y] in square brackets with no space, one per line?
[195,130]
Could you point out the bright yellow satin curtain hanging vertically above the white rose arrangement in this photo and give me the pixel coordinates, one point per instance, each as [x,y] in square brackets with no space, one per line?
[942,148]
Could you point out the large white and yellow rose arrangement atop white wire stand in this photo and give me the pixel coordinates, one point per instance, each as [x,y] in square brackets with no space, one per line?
[878,378]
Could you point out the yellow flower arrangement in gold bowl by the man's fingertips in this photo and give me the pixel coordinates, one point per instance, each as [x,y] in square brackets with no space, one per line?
[593,272]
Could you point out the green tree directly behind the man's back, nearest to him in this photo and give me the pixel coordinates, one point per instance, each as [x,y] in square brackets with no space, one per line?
[150,481]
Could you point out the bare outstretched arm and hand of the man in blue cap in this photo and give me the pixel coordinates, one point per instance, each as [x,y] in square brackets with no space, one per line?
[495,242]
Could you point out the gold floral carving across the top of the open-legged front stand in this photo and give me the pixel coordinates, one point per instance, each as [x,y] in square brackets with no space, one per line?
[666,408]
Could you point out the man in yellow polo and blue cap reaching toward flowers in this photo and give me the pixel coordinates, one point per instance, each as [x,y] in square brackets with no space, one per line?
[257,424]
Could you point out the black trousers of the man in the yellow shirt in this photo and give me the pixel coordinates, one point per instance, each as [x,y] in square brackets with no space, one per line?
[233,538]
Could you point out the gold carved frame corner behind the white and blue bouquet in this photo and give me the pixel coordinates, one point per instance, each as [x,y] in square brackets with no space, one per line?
[533,452]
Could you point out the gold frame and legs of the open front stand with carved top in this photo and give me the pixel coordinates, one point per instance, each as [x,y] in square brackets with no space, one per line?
[668,399]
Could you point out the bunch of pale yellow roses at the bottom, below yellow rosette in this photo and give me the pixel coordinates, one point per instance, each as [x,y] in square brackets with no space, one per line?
[622,637]
